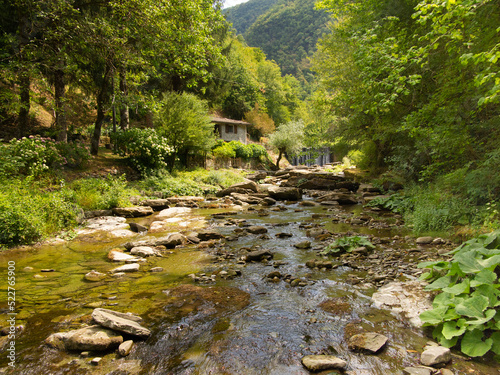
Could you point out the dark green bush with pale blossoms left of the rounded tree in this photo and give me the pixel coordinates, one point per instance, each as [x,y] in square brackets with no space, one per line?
[145,149]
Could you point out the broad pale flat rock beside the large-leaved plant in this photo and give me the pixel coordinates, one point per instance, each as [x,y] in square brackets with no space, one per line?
[408,299]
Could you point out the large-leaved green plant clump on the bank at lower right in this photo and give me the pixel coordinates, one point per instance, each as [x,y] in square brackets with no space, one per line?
[466,310]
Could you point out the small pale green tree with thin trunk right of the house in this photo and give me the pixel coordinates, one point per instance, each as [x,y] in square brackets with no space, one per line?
[288,139]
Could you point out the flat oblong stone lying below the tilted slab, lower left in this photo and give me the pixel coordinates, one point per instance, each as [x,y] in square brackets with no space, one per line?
[94,338]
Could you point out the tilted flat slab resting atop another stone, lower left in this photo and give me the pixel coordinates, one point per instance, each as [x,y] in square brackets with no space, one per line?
[120,322]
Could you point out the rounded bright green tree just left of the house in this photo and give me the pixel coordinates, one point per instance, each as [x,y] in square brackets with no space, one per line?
[183,120]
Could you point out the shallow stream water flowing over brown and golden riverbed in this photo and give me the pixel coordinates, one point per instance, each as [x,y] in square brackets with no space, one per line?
[247,325]
